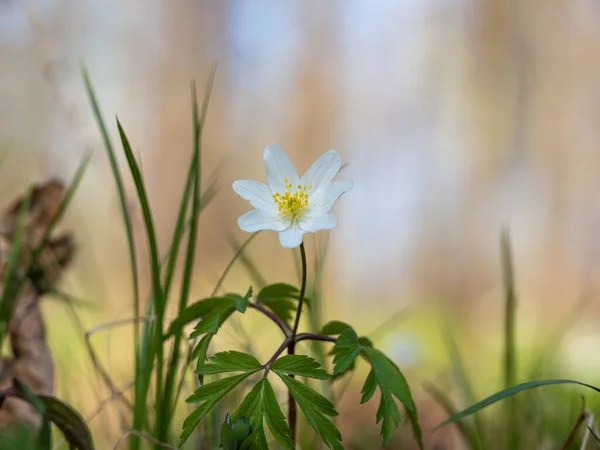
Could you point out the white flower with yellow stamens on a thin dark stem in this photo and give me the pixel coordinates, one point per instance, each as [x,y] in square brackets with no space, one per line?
[290,205]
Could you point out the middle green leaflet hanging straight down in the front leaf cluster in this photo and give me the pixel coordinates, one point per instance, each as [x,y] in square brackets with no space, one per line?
[261,405]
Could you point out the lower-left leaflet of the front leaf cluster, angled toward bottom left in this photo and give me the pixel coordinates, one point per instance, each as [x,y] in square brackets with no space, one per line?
[208,396]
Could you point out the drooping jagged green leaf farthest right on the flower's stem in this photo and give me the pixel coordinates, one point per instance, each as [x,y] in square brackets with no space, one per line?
[391,383]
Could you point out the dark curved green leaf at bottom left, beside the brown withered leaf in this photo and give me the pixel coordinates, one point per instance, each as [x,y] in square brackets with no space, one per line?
[69,421]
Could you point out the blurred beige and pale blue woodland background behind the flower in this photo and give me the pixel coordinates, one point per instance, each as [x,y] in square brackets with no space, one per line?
[456,118]
